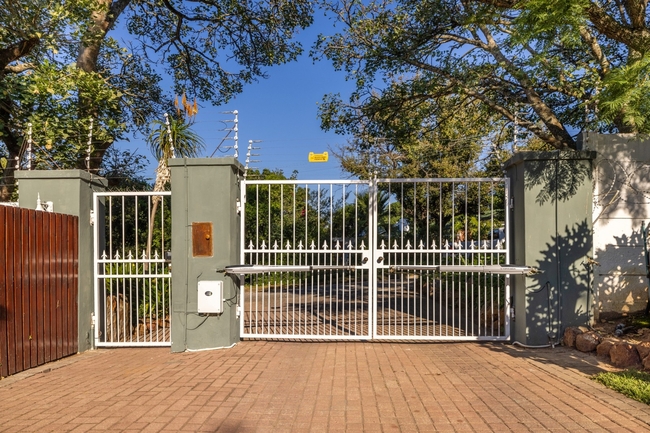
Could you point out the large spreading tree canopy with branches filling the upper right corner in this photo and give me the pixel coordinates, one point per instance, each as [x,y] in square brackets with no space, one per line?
[553,68]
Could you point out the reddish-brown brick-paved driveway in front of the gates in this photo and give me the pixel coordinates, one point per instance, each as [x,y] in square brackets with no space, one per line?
[261,386]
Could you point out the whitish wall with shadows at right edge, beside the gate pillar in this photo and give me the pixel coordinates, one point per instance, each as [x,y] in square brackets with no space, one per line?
[621,204]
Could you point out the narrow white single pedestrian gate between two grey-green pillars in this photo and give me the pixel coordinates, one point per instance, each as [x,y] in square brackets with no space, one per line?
[132,268]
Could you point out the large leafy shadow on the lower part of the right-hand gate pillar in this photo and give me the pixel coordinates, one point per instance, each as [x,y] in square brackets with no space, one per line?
[560,295]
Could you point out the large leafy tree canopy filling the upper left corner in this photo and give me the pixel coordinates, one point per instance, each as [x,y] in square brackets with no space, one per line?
[210,50]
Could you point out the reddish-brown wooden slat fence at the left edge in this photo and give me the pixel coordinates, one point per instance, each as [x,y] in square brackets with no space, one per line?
[38,288]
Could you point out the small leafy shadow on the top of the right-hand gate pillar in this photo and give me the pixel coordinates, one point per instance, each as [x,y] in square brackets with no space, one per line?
[560,177]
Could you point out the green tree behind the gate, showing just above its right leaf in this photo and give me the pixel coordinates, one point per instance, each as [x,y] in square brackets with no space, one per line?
[417,145]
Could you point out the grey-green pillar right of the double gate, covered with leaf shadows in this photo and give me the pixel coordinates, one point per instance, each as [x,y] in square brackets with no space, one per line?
[551,229]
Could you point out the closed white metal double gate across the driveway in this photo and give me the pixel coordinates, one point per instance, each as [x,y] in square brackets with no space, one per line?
[415,259]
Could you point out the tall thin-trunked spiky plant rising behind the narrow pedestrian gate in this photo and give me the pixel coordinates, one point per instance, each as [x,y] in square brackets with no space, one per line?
[171,138]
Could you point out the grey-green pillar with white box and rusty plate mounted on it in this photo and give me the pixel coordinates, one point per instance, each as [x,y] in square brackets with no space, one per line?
[205,238]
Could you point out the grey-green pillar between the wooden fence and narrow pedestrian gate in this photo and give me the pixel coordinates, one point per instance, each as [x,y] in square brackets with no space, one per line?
[71,193]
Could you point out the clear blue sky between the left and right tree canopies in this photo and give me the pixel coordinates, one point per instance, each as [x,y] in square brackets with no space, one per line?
[281,111]
